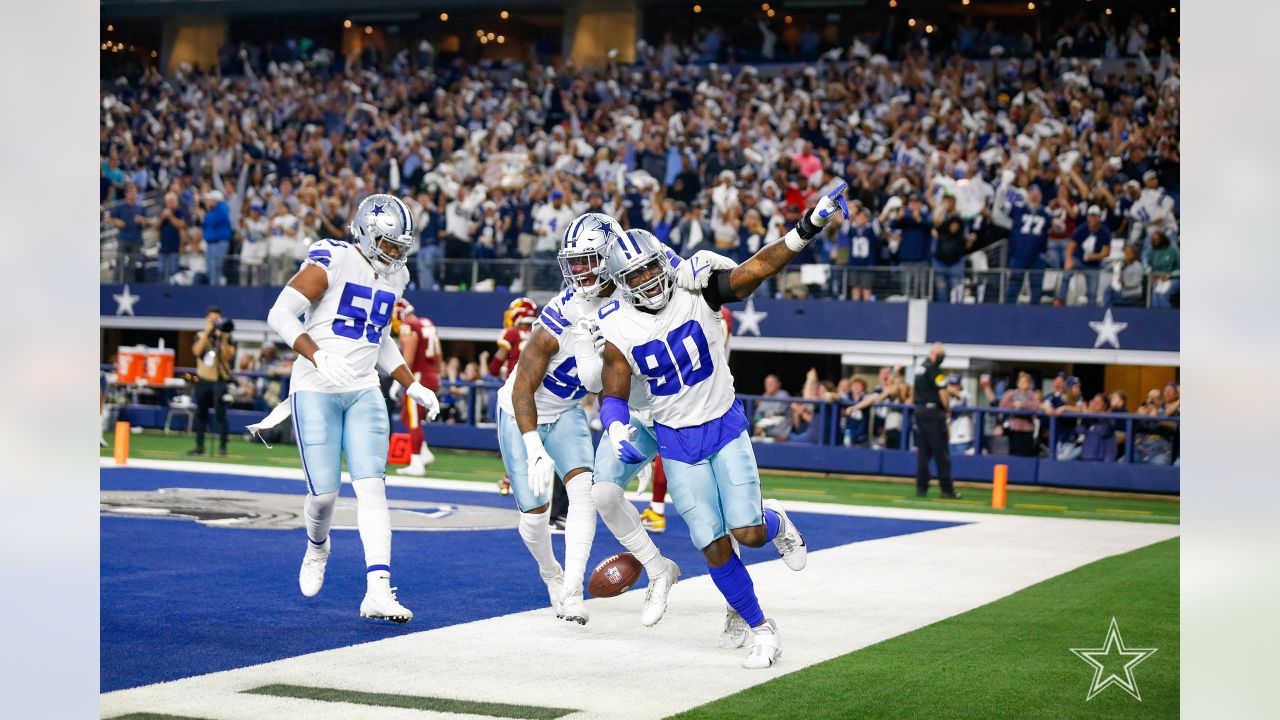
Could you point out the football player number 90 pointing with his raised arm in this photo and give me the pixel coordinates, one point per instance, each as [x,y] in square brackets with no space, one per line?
[669,340]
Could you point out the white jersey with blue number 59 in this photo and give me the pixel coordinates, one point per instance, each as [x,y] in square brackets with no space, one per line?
[351,318]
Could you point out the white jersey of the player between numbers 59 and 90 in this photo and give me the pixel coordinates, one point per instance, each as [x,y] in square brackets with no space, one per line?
[561,389]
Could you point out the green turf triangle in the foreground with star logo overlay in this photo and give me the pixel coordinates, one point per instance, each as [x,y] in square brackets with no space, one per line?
[1011,659]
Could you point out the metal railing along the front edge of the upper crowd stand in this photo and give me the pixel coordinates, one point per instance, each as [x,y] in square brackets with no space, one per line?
[537,276]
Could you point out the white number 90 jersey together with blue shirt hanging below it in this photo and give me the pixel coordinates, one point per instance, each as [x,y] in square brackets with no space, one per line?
[679,356]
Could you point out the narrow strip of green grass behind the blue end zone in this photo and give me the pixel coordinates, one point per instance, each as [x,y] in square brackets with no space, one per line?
[487,468]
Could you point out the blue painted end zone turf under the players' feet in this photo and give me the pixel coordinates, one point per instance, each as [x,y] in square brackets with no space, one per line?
[180,599]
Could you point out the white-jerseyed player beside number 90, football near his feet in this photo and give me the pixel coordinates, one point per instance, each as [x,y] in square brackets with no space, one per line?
[542,430]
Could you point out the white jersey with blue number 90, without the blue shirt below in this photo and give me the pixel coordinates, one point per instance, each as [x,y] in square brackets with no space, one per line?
[676,356]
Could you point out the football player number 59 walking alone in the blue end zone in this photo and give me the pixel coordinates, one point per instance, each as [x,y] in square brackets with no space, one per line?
[348,294]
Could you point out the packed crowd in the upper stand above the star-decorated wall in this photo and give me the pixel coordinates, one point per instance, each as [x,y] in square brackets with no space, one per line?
[1039,162]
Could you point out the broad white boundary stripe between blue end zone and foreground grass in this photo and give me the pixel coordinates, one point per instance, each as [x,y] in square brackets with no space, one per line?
[848,599]
